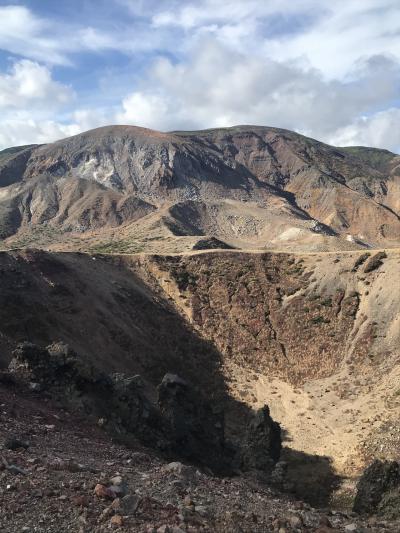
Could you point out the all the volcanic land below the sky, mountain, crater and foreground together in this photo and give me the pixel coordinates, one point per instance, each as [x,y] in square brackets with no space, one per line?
[261,324]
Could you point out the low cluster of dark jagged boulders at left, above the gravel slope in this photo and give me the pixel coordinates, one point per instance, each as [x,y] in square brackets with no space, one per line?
[118,400]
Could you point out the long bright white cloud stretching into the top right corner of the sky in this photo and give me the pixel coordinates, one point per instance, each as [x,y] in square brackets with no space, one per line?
[331,37]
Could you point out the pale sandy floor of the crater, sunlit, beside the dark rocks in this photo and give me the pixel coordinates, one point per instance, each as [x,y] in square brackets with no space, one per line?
[318,420]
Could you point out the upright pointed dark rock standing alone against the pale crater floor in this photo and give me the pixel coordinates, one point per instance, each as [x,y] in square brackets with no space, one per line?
[263,442]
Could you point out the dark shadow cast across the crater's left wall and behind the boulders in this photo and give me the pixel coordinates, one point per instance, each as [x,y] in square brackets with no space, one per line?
[105,312]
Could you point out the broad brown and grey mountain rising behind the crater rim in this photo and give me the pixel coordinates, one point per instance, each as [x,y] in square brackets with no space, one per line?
[124,188]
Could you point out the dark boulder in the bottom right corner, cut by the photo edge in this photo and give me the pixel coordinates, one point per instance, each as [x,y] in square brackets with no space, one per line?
[378,490]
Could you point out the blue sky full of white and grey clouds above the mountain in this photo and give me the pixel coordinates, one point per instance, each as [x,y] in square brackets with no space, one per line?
[329,69]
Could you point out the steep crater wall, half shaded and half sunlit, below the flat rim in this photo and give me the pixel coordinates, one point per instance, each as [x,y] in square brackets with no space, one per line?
[314,336]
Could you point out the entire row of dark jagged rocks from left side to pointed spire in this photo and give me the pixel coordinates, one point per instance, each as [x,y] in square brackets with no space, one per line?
[184,423]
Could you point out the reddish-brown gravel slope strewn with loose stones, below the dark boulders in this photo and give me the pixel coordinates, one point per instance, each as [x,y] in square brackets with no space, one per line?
[65,475]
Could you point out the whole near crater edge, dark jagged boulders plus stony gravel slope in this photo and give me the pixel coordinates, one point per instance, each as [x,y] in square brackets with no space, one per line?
[60,471]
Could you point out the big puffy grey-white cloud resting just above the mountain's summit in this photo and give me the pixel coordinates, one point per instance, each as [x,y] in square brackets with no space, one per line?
[218,87]
